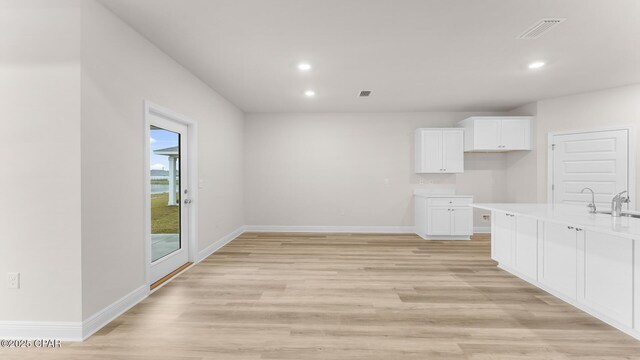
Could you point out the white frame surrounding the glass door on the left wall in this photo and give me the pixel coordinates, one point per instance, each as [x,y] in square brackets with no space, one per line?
[192,174]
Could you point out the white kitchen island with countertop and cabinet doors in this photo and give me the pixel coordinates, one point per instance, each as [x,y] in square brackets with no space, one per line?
[591,261]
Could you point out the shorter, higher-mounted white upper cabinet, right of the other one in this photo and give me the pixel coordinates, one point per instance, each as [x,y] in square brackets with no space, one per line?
[497,133]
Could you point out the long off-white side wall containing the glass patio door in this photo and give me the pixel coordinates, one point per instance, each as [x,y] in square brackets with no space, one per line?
[121,69]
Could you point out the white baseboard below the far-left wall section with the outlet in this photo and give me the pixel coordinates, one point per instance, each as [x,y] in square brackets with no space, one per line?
[31,330]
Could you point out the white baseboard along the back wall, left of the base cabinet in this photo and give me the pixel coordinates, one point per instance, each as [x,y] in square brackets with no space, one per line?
[333,229]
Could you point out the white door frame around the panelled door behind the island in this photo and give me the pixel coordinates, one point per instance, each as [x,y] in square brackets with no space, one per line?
[631,158]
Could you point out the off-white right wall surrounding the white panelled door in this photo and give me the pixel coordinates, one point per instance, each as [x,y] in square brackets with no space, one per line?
[593,110]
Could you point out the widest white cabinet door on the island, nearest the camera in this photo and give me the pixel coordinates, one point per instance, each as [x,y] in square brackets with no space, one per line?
[606,285]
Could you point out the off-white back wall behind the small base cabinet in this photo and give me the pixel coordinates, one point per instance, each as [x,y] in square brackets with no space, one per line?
[304,169]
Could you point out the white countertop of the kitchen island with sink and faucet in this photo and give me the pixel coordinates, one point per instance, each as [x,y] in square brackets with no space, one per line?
[575,215]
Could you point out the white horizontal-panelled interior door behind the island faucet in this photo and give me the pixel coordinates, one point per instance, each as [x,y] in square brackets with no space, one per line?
[598,160]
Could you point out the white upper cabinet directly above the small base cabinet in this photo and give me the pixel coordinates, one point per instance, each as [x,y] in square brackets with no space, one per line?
[439,150]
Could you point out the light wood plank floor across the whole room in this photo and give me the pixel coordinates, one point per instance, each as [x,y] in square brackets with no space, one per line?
[349,296]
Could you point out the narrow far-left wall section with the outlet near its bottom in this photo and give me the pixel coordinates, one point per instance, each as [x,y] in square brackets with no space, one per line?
[40,157]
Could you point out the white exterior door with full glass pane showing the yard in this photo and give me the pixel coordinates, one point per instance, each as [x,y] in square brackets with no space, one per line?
[169,196]
